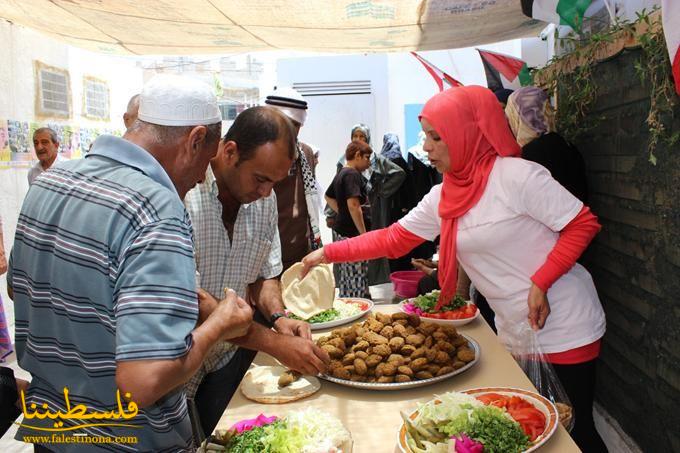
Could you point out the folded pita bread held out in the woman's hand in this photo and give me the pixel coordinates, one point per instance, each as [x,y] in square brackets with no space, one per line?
[311,295]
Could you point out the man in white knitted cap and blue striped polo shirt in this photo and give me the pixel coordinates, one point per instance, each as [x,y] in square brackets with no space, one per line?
[103,275]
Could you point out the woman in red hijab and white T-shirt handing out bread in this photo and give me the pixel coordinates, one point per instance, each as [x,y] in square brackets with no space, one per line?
[513,228]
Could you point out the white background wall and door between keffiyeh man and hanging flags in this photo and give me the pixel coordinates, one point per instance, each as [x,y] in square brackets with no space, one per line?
[397,79]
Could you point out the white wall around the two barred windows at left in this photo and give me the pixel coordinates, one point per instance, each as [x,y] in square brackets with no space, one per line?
[20,48]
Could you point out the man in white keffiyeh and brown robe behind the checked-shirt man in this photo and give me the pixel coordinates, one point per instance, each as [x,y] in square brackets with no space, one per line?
[297,194]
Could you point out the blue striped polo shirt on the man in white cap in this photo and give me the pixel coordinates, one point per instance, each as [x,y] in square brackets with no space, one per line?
[102,271]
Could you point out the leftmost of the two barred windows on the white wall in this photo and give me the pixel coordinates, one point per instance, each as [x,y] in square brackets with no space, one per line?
[54,91]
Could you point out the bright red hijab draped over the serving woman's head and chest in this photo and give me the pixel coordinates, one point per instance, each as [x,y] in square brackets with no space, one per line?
[472,124]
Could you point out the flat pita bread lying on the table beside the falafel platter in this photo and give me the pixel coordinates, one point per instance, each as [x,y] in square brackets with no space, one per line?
[261,384]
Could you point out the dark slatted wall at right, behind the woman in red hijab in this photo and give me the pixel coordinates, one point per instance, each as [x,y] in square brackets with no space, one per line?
[635,260]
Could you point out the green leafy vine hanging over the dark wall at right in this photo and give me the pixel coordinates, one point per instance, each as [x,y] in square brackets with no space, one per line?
[570,77]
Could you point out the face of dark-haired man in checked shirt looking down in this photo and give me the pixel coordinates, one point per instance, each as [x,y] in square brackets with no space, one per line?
[254,178]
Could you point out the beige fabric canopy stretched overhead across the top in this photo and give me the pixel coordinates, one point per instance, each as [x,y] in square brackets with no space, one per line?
[182,27]
